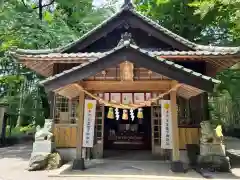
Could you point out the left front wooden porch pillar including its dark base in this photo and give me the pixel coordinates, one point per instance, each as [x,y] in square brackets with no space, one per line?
[78,163]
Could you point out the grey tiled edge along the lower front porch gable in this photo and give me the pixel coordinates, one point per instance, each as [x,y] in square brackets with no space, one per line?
[127,44]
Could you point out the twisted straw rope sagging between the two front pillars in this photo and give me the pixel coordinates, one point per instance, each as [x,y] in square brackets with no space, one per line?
[131,106]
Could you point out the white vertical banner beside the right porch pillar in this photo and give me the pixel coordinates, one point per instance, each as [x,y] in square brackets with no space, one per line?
[166,131]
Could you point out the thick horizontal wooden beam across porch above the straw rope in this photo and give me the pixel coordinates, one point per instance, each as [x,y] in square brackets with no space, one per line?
[114,86]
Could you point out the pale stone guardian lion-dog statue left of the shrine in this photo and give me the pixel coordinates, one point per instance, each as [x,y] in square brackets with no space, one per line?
[44,133]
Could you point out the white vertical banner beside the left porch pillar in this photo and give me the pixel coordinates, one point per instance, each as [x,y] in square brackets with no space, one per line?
[89,122]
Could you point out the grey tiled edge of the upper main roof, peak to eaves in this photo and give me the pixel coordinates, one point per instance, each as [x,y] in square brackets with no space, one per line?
[191,45]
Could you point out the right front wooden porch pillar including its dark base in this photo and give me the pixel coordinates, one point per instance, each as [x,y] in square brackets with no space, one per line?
[177,166]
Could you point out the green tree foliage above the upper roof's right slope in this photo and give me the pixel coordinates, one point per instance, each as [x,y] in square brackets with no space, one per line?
[183,18]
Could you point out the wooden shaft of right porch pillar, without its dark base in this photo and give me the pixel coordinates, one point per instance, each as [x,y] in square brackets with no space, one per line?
[175,130]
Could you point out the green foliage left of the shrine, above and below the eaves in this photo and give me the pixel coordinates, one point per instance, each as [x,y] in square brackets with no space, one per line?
[21,26]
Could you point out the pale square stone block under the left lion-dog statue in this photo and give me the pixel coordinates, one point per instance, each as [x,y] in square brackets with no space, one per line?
[42,147]
